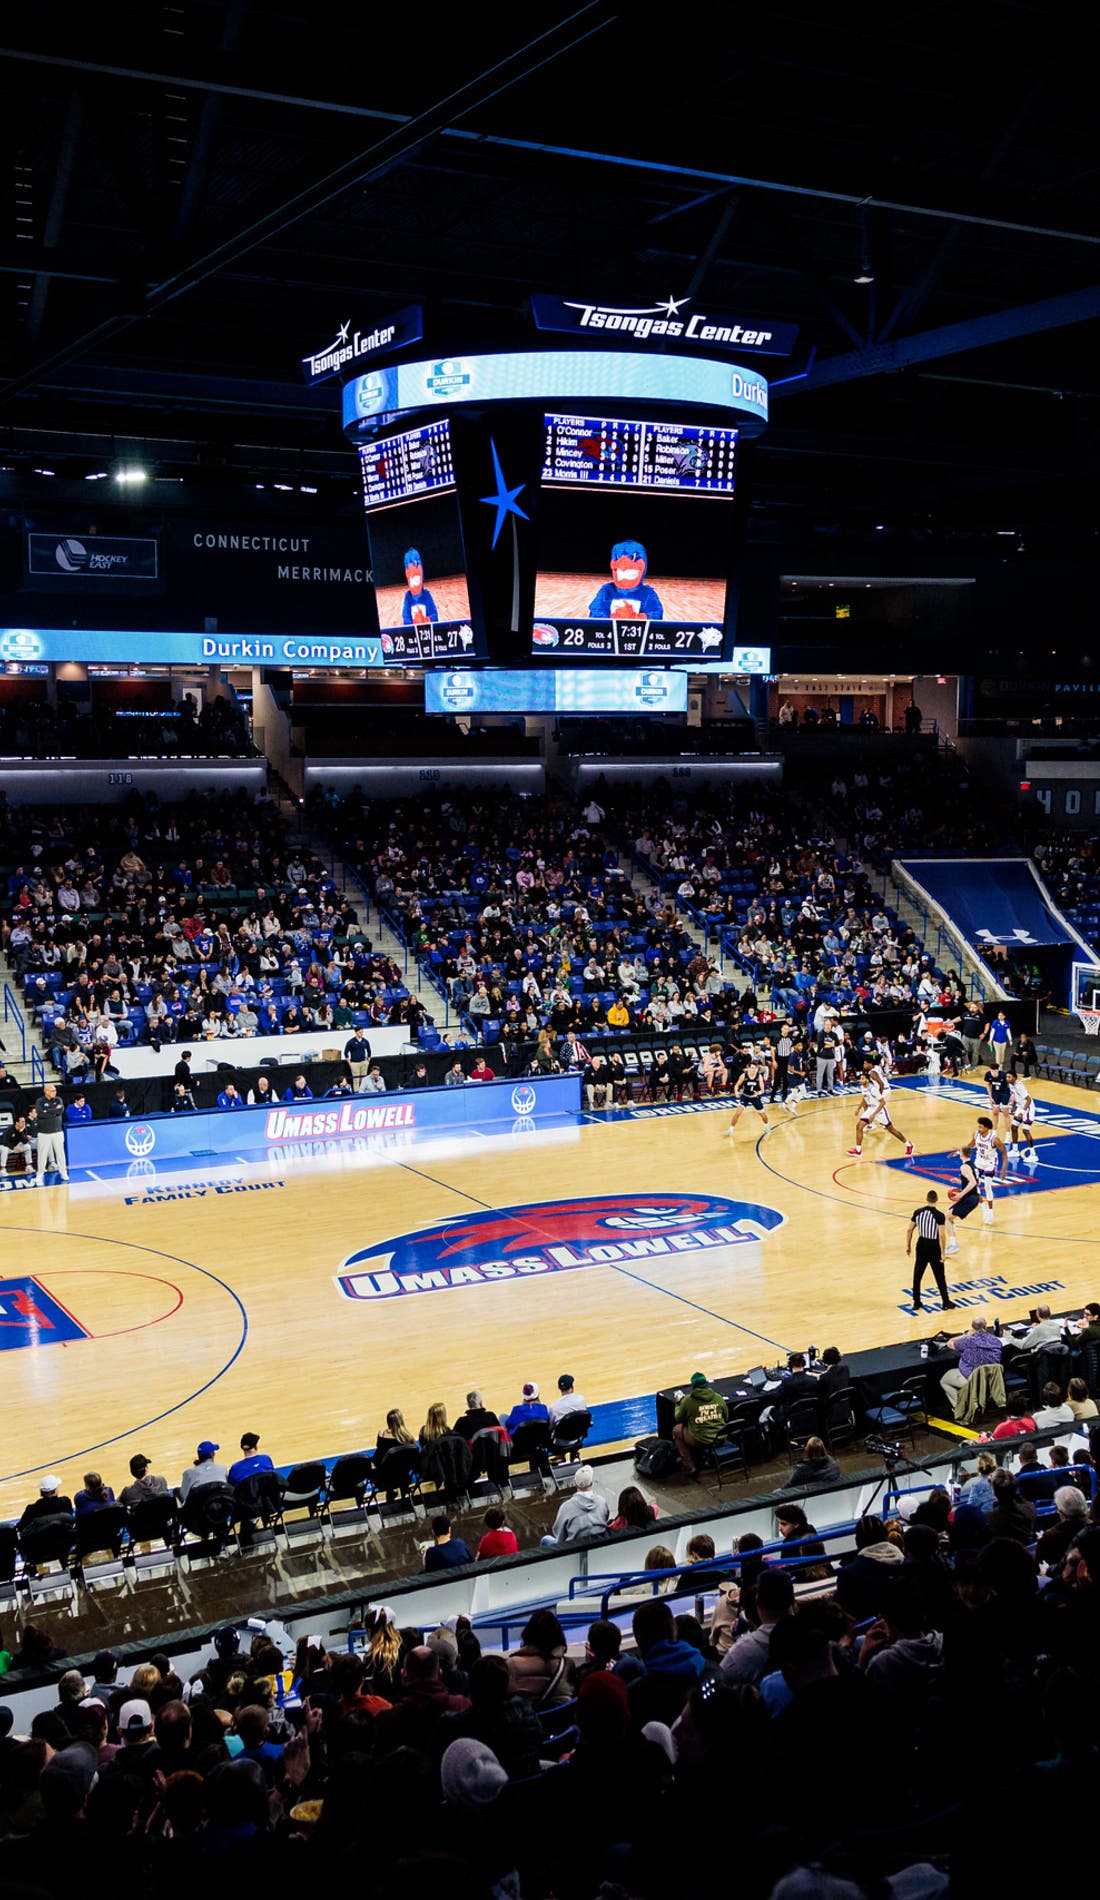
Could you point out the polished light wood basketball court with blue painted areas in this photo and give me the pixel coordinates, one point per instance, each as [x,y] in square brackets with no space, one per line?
[303,1295]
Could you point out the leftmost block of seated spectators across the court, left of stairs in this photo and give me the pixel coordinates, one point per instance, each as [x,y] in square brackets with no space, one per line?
[189,924]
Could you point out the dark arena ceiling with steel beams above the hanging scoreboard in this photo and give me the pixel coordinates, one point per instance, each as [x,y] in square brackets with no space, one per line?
[202,191]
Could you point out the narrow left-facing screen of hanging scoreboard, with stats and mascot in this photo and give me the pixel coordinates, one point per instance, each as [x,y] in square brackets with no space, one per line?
[417,550]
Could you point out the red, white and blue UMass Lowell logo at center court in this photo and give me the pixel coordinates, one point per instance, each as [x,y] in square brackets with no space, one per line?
[552,1238]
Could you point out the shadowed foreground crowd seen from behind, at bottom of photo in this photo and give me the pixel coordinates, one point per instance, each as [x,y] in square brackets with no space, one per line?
[808,1690]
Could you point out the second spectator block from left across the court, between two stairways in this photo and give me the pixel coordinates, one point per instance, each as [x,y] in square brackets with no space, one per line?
[523,915]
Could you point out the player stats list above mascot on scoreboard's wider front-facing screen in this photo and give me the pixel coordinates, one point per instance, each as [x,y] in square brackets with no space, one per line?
[605,453]
